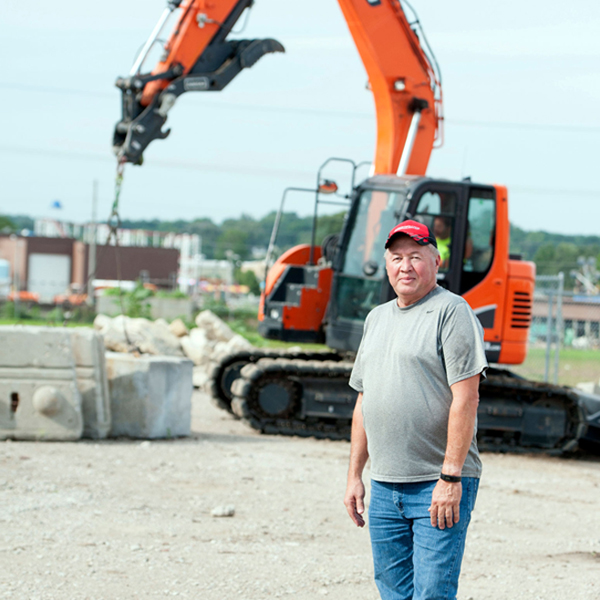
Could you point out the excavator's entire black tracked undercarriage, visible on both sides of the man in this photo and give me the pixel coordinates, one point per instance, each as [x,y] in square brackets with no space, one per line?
[307,394]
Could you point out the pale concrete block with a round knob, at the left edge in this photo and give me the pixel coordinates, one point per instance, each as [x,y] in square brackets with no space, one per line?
[39,397]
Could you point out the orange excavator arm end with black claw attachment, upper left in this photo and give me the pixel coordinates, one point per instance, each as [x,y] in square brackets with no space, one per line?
[197,57]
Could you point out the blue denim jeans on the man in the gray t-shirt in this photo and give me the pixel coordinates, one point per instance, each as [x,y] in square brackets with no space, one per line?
[413,560]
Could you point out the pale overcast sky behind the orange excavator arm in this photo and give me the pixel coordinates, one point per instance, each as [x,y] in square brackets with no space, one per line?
[521,87]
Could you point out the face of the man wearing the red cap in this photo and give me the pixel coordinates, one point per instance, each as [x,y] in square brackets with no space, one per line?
[411,269]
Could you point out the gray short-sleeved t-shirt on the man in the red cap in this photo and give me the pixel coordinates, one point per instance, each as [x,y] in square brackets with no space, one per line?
[407,361]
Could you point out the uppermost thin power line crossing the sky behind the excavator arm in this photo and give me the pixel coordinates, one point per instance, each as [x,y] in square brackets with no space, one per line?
[321,112]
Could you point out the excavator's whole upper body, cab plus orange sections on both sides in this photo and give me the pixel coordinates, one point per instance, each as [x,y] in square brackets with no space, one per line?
[329,300]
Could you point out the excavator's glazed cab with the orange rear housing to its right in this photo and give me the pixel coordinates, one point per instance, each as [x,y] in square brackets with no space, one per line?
[470,222]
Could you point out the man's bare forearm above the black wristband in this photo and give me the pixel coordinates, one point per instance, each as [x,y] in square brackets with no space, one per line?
[461,424]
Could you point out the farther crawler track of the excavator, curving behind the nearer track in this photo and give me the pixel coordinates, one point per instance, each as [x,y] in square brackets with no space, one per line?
[223,400]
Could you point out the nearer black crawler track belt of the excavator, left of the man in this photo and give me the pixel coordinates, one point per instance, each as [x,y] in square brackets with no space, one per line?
[291,371]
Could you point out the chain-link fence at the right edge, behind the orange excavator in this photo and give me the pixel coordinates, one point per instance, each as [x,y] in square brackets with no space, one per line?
[564,339]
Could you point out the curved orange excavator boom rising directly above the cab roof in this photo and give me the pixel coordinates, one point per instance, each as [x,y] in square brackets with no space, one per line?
[405,82]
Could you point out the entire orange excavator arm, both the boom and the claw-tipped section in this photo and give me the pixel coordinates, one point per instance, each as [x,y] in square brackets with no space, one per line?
[199,56]
